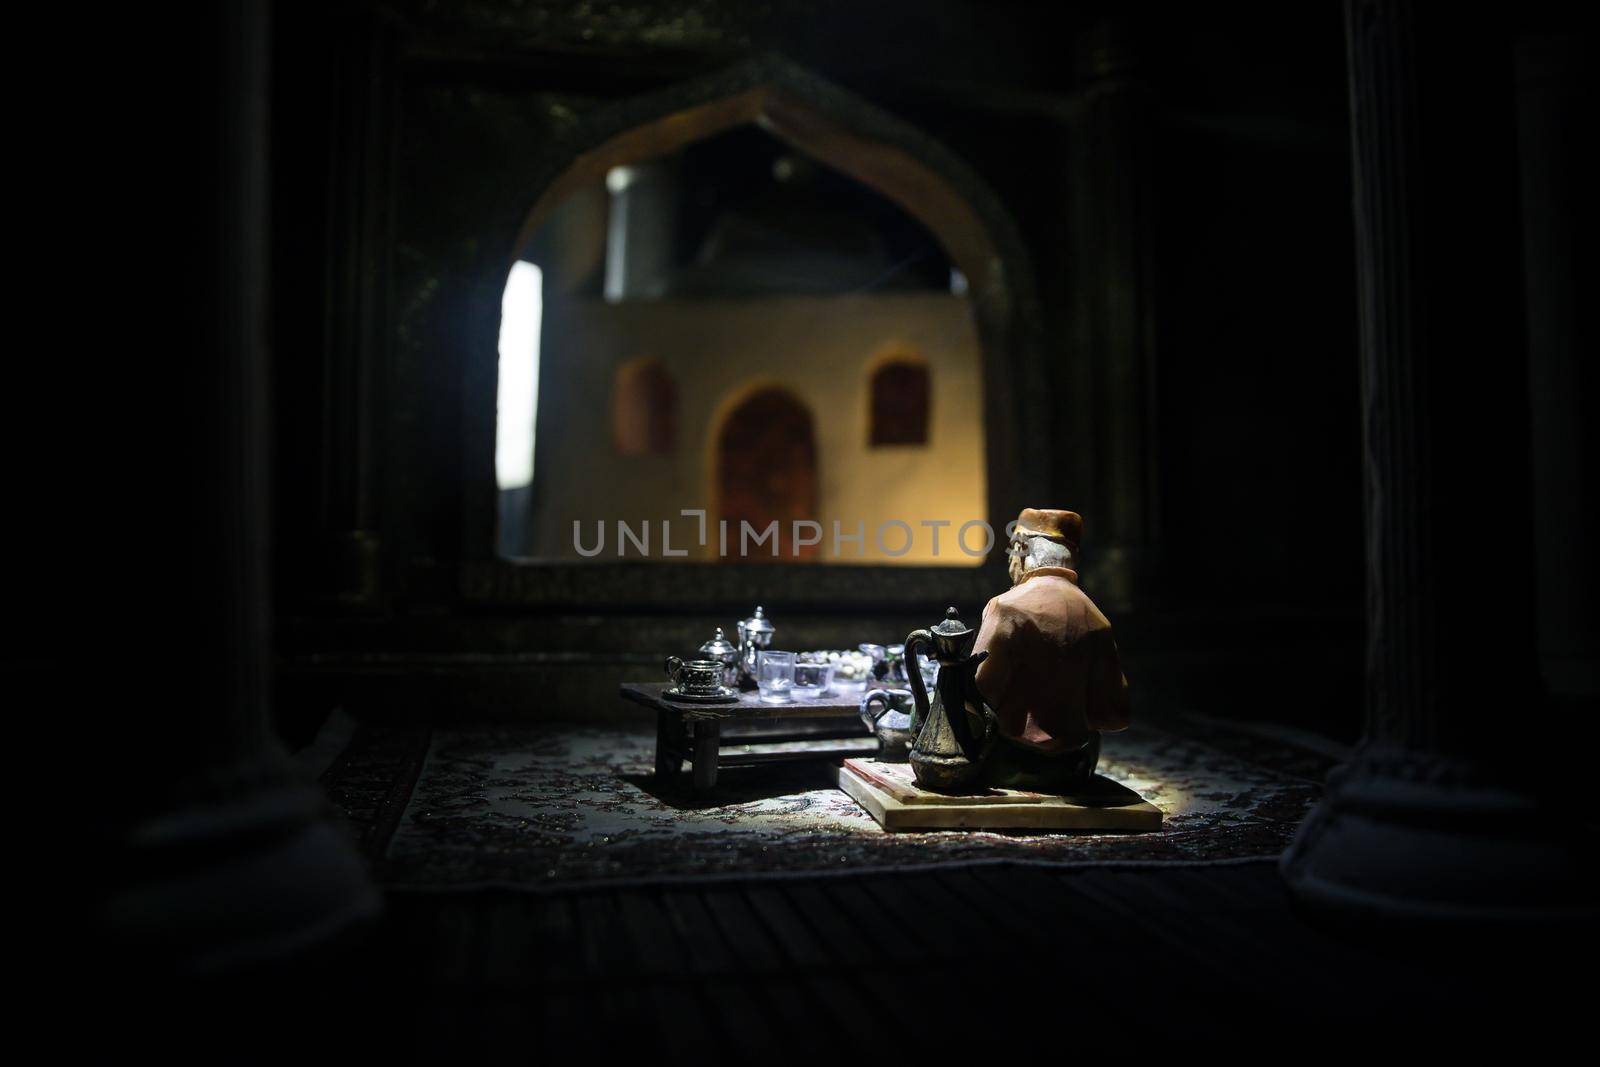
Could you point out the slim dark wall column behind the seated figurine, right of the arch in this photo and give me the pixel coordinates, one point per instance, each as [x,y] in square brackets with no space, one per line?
[1116,217]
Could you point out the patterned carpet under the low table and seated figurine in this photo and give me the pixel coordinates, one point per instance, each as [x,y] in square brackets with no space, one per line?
[554,807]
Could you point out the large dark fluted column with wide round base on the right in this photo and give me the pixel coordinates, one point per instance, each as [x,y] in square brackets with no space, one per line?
[1441,812]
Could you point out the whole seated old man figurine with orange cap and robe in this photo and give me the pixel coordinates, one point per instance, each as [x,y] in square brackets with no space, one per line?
[1052,673]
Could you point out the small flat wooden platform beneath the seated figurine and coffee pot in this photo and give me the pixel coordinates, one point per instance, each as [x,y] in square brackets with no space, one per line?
[892,796]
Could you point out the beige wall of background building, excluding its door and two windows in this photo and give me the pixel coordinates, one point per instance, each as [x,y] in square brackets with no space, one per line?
[820,348]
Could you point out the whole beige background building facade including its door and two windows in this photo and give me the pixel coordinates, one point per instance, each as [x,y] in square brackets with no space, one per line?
[716,358]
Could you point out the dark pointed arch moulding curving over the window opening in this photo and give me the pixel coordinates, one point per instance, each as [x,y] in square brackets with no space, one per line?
[882,153]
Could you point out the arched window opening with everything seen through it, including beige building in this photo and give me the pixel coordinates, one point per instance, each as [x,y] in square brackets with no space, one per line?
[740,330]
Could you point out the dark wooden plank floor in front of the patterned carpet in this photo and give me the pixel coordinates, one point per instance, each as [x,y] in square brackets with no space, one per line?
[815,962]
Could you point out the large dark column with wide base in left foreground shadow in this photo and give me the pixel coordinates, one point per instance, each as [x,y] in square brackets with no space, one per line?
[217,855]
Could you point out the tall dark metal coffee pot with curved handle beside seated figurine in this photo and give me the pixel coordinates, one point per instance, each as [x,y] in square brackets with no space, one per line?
[954,733]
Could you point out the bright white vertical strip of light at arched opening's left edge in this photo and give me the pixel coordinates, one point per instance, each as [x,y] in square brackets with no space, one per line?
[522,310]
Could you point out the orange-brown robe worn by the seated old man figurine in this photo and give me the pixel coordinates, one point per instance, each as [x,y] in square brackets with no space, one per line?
[1052,674]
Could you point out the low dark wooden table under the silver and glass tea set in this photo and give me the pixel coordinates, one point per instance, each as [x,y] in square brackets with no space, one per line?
[713,737]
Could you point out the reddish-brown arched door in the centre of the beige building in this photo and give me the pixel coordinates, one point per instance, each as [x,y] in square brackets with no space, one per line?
[767,471]
